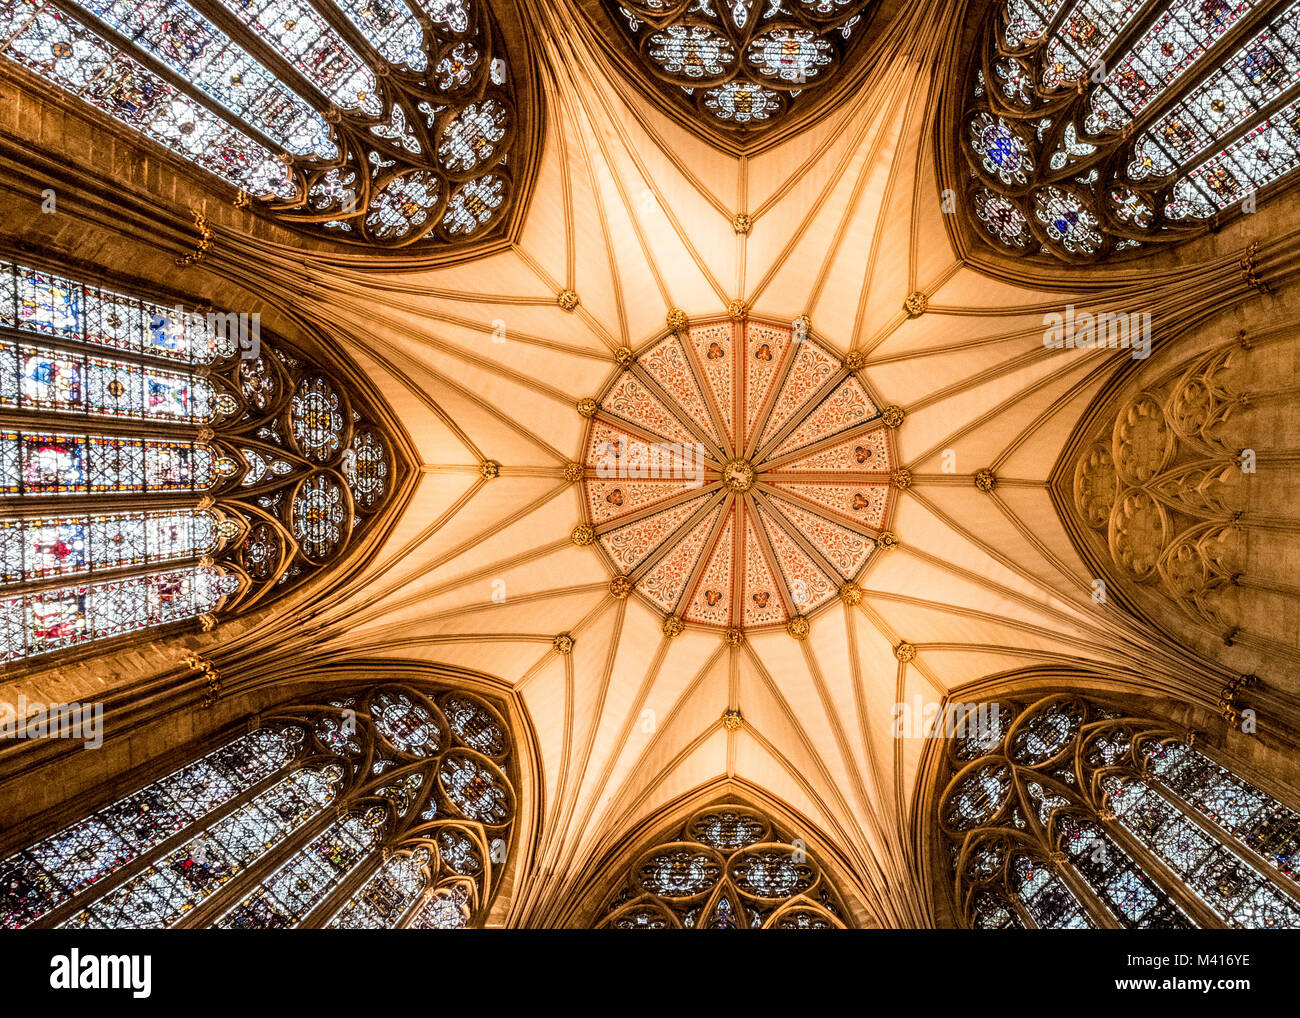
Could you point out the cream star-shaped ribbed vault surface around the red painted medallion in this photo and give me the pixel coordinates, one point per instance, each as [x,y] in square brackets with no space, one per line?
[635,215]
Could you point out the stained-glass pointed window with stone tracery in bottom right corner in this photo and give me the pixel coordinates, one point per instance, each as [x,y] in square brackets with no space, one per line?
[1067,813]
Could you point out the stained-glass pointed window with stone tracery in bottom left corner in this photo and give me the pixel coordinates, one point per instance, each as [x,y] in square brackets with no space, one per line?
[392,808]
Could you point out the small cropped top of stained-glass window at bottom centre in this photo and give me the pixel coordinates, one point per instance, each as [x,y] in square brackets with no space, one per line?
[729,868]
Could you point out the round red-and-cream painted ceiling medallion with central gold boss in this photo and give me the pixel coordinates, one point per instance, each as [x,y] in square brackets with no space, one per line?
[736,475]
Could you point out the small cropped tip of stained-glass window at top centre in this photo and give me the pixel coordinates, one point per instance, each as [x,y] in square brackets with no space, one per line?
[743,66]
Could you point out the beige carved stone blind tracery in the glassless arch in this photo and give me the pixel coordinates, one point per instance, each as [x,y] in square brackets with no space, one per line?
[1167,489]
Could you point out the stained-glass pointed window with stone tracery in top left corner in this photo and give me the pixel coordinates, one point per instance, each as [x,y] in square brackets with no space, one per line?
[385,123]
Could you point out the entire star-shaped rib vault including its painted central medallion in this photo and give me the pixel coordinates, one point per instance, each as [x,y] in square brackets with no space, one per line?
[486,366]
